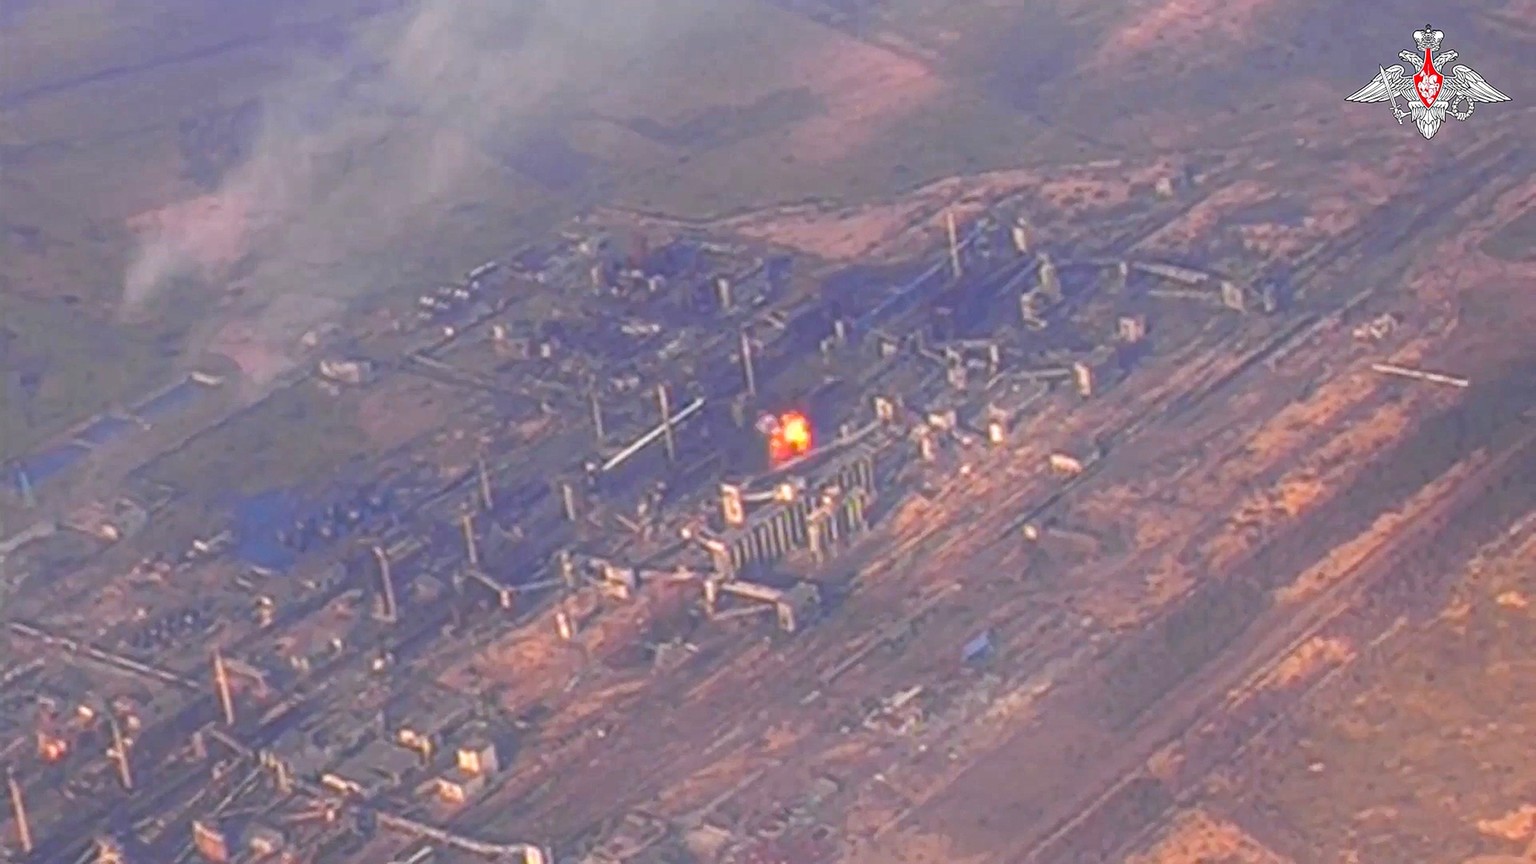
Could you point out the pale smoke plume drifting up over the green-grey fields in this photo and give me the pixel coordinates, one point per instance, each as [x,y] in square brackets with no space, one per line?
[371,147]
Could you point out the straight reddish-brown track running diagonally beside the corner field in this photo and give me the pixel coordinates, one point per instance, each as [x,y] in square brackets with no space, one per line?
[1110,820]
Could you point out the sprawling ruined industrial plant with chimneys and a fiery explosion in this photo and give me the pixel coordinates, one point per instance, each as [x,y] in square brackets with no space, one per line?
[652,459]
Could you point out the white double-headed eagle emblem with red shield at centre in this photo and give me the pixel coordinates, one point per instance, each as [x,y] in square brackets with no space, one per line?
[1431,96]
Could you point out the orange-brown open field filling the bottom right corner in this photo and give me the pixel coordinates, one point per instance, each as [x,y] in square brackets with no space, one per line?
[1405,749]
